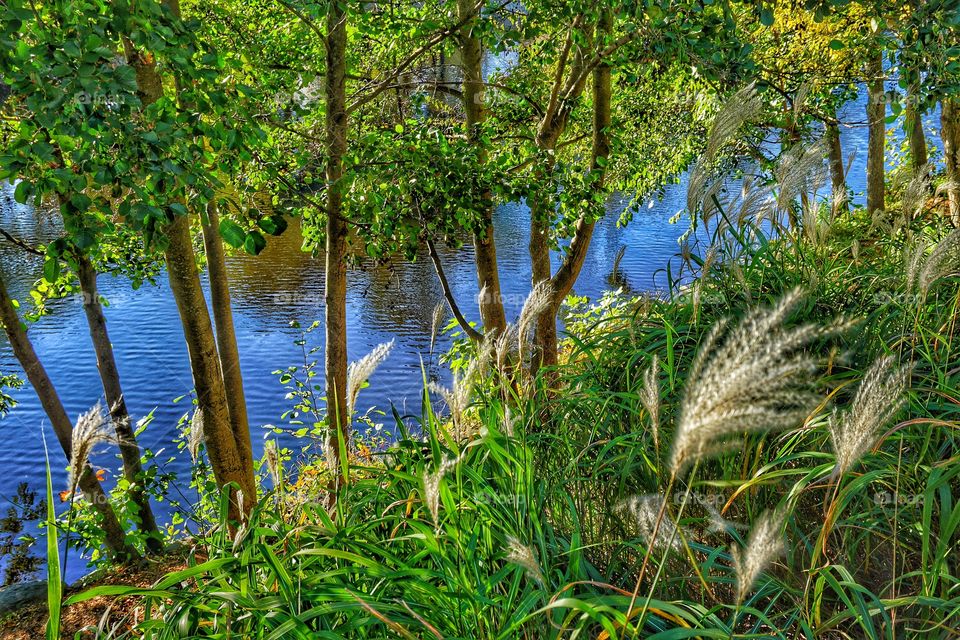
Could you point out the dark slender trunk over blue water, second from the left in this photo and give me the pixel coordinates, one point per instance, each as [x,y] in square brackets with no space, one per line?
[113,392]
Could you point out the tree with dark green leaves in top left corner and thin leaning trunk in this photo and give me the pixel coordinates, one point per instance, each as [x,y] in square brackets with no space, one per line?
[48,152]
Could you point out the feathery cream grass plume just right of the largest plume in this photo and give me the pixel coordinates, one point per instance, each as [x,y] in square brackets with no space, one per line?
[880,396]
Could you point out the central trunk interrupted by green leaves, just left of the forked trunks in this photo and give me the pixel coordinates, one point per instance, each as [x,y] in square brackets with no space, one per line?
[485,249]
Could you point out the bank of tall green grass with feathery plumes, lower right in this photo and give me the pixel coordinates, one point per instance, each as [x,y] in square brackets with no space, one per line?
[779,474]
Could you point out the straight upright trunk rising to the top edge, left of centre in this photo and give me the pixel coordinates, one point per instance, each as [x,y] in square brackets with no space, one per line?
[335,295]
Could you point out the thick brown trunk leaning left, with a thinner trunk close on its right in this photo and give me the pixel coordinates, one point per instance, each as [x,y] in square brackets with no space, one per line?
[223,444]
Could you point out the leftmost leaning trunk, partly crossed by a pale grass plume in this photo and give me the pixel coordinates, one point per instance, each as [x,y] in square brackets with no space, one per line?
[115,537]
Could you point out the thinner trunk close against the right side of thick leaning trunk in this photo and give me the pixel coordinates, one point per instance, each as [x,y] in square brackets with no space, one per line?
[226,335]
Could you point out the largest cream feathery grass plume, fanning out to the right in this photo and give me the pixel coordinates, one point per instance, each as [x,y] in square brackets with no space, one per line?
[757,376]
